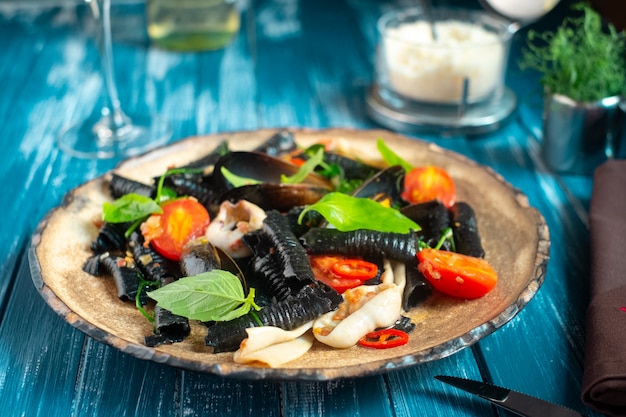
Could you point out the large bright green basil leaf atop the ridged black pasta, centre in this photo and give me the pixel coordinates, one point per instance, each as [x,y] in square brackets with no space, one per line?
[348,213]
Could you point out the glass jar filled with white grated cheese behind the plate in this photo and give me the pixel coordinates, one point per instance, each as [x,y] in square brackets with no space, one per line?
[434,70]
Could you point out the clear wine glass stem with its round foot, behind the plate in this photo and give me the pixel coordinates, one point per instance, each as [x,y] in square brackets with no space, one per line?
[112,133]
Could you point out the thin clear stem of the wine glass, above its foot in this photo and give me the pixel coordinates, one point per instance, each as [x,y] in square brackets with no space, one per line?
[112,109]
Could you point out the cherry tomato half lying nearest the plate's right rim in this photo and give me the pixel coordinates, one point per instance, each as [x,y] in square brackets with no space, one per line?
[456,274]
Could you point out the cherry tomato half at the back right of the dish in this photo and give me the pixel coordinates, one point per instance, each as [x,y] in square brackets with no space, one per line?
[427,183]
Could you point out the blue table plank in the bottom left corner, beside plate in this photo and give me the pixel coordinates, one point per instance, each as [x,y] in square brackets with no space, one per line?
[39,355]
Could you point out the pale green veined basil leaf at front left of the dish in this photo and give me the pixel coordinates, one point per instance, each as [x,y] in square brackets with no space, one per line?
[211,296]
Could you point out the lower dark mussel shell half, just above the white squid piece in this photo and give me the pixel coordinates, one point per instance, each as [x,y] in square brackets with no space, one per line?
[281,197]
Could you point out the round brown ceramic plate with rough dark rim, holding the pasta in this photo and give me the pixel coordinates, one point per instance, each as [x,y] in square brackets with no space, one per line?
[515,238]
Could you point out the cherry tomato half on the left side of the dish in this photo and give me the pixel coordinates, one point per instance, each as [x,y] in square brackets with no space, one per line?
[181,221]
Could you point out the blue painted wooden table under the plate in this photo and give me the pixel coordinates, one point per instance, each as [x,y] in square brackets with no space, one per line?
[293,64]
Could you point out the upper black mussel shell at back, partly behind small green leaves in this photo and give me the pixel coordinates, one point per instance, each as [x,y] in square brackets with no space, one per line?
[260,167]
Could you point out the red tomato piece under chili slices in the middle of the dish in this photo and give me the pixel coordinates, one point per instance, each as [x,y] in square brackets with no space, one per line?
[323,266]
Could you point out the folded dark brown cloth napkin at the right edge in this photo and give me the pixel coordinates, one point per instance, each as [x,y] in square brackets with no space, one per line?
[604,378]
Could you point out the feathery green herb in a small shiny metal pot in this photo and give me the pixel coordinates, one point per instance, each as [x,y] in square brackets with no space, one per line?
[584,77]
